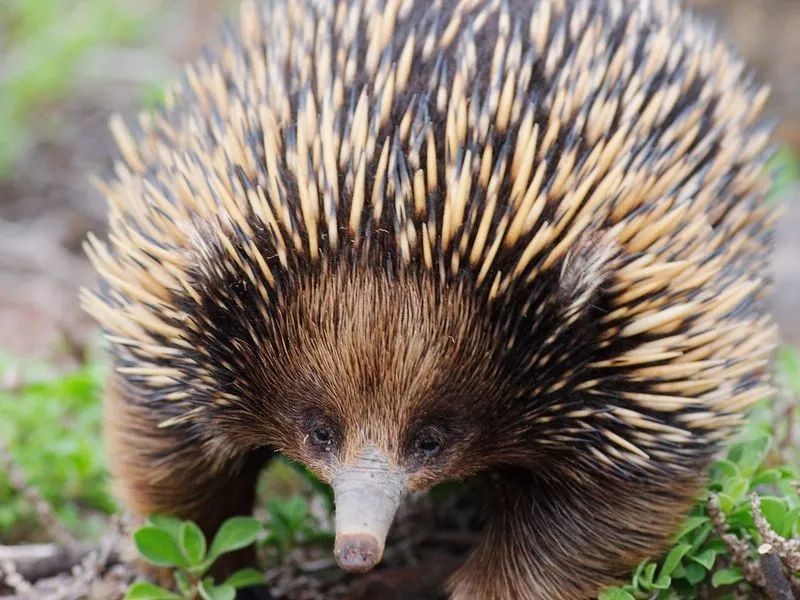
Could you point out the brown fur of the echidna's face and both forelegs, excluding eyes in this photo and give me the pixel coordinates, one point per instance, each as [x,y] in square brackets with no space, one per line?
[387,356]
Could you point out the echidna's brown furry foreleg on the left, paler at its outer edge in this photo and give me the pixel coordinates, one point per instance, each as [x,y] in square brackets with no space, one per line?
[156,470]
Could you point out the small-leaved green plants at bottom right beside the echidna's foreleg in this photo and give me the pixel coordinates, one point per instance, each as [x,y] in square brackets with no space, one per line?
[719,542]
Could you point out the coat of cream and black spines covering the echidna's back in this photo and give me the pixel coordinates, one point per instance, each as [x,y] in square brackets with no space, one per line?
[613,147]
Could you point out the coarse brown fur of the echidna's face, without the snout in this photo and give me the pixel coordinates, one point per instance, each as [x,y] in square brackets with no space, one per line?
[359,358]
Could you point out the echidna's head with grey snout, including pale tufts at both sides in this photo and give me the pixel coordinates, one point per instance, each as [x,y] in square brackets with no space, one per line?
[382,380]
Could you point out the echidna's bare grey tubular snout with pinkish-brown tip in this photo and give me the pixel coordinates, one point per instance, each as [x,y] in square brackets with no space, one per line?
[367,495]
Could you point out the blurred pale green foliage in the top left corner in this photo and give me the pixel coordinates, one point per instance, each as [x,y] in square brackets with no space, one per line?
[41,45]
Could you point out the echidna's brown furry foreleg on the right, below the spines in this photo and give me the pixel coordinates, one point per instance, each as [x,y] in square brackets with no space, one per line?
[563,540]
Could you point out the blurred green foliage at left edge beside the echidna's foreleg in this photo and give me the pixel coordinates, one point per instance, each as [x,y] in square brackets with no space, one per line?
[51,424]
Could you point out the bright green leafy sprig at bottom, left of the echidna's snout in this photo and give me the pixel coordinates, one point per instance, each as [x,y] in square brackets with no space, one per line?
[170,542]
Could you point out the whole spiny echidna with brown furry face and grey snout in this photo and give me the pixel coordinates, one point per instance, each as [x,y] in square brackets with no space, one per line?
[410,241]
